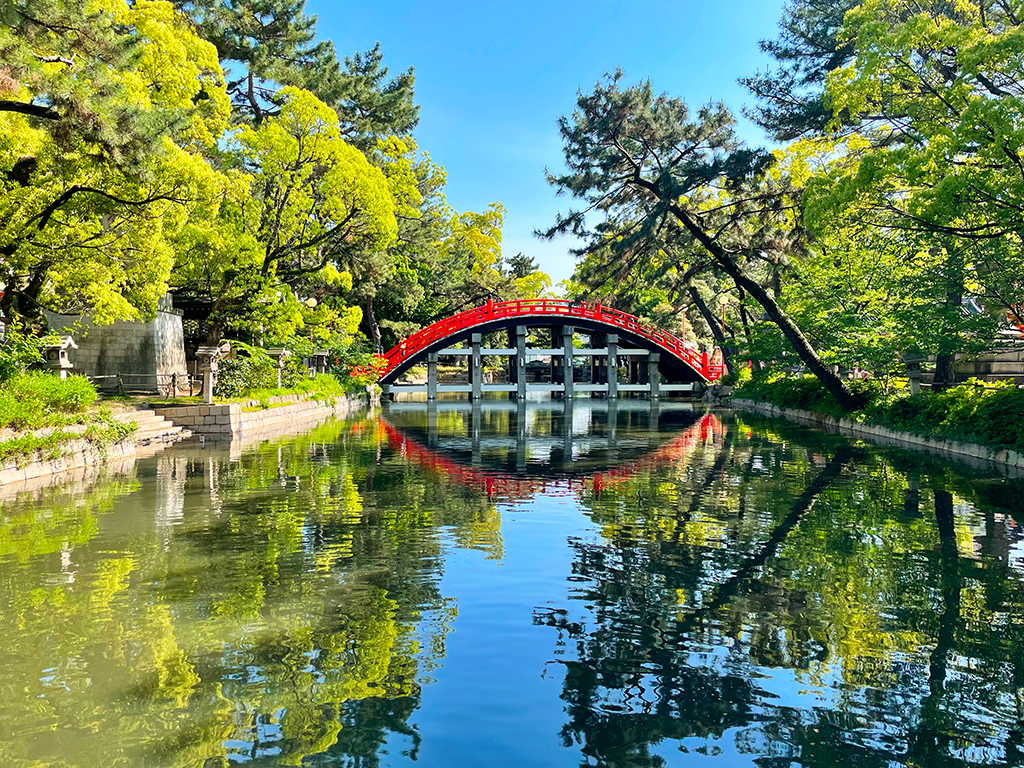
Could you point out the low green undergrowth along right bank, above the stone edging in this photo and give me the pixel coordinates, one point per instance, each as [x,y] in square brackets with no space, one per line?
[992,415]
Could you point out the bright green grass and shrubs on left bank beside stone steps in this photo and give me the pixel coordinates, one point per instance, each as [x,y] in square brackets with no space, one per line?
[35,402]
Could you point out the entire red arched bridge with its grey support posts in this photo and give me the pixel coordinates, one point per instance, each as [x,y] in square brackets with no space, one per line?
[656,362]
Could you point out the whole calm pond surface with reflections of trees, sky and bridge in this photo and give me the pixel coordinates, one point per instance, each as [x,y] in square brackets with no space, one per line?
[513,586]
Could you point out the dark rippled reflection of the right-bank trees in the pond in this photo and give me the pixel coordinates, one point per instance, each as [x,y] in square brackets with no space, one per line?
[851,610]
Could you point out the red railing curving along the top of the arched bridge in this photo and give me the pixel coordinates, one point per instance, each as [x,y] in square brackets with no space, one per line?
[557,309]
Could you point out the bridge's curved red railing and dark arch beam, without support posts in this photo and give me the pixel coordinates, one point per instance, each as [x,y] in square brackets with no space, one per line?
[681,363]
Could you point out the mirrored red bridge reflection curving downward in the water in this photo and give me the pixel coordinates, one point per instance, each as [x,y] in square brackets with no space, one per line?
[516,450]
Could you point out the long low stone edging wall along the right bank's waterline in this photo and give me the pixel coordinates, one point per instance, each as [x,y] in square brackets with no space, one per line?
[971,453]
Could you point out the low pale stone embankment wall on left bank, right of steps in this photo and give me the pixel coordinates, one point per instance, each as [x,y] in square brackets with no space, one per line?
[231,419]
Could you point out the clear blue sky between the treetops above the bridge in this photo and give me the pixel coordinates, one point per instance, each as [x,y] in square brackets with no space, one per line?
[493,79]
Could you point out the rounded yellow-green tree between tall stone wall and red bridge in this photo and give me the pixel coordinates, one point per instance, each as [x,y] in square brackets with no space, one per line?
[310,206]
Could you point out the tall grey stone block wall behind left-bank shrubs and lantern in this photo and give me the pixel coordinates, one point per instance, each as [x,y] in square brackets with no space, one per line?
[138,352]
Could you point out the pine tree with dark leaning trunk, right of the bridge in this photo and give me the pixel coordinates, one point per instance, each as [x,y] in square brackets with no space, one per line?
[657,175]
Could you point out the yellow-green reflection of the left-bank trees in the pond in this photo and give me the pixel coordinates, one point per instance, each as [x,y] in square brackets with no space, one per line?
[244,614]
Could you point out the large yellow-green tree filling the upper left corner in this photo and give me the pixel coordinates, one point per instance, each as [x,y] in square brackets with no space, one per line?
[108,113]
